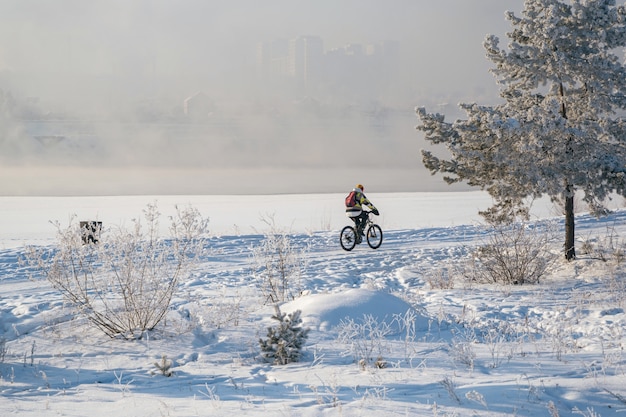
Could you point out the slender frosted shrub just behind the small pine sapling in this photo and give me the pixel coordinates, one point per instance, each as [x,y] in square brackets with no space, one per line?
[278,267]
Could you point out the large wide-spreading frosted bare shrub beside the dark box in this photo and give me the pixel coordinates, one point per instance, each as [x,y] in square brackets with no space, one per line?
[125,283]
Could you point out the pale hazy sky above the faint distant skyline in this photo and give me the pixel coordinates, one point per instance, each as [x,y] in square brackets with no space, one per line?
[132,38]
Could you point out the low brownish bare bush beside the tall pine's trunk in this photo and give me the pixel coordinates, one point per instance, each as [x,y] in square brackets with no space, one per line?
[516,254]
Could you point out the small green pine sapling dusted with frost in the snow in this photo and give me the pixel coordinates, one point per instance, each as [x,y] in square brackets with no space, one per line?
[285,340]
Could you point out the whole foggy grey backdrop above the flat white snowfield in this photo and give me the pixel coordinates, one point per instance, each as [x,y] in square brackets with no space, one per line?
[197,96]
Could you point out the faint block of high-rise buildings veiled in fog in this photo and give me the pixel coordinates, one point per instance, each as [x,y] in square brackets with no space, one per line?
[300,67]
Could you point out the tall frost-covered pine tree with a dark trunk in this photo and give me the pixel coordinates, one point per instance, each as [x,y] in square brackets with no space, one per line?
[560,130]
